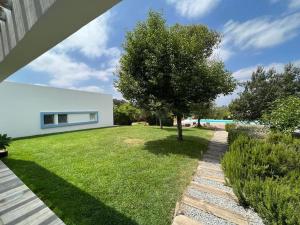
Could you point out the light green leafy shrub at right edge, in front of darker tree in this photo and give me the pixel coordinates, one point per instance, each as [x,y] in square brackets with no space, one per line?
[285,115]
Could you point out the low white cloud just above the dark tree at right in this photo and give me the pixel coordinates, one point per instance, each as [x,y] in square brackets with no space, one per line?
[245,73]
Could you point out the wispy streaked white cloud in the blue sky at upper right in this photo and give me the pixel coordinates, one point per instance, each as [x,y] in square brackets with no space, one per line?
[261,32]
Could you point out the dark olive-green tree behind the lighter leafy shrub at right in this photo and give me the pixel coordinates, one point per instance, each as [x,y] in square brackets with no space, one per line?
[263,89]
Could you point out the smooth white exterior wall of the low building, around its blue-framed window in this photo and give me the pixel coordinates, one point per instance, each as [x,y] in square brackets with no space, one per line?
[22,104]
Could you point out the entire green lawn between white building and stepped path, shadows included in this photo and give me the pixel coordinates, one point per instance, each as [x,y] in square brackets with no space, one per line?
[120,175]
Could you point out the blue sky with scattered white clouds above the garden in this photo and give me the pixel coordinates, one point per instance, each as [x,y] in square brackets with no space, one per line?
[254,32]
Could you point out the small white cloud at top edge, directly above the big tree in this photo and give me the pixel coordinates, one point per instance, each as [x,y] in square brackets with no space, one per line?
[194,8]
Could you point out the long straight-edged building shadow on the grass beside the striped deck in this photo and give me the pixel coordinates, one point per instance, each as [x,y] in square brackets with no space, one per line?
[71,204]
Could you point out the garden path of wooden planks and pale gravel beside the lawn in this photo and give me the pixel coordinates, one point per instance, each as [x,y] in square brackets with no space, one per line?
[207,200]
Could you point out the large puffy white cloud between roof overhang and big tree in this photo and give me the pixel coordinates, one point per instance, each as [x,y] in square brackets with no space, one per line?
[91,41]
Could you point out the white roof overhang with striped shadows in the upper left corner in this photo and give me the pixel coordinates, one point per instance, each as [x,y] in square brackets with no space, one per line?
[28,28]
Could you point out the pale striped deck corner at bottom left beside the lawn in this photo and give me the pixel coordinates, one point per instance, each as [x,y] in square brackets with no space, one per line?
[19,205]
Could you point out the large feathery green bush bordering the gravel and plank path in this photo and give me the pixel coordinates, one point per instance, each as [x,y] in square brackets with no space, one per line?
[265,174]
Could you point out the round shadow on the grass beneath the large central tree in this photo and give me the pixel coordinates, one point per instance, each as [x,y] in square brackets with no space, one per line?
[191,146]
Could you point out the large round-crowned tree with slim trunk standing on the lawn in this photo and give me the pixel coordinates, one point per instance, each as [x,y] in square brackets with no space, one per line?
[171,65]
